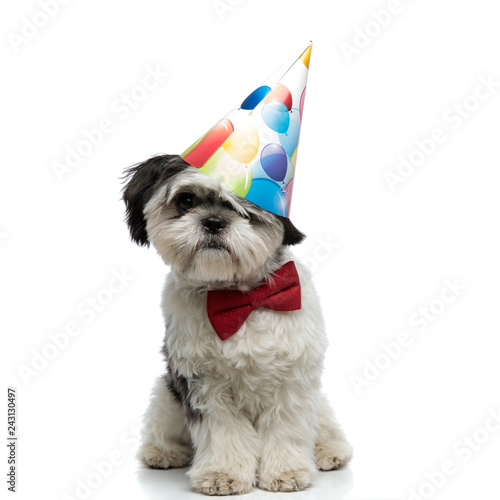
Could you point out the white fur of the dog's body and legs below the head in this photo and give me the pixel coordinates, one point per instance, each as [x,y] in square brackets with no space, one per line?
[263,417]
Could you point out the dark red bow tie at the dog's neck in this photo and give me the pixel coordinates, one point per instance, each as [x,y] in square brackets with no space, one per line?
[228,309]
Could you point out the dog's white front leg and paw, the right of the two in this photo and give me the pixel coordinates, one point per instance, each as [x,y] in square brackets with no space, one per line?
[287,434]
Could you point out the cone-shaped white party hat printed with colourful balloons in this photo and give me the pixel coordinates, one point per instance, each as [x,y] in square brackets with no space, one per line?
[253,149]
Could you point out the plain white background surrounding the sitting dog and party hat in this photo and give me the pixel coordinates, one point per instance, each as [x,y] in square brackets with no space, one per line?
[390,252]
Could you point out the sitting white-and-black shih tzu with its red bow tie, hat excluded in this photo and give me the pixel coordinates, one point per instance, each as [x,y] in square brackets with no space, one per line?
[244,342]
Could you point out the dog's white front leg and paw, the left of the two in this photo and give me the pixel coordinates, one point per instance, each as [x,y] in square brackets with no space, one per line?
[226,453]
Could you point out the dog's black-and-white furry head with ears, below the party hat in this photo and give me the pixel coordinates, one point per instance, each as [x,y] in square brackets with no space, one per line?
[198,226]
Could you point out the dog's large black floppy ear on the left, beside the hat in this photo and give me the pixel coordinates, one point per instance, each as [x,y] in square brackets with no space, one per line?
[141,182]
